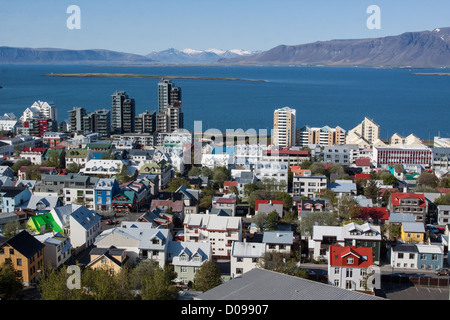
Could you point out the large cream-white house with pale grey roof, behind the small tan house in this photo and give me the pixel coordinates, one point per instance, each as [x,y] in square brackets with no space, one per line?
[140,243]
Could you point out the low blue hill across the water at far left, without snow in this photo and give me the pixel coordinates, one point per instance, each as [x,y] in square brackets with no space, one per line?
[9,55]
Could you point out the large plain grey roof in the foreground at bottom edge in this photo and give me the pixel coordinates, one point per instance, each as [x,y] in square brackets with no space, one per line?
[260,284]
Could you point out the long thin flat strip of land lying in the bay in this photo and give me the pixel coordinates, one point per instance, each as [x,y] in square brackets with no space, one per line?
[144,76]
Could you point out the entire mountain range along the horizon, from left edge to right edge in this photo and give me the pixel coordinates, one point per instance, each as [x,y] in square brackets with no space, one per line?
[423,49]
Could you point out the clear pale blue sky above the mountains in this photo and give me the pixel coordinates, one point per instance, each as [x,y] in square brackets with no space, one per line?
[143,26]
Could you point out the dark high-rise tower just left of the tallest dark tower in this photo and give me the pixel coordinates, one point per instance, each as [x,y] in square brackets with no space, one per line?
[123,113]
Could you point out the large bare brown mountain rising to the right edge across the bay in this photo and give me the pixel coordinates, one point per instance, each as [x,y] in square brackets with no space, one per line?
[411,49]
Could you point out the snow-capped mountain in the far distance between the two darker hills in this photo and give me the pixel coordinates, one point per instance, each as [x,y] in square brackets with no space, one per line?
[193,56]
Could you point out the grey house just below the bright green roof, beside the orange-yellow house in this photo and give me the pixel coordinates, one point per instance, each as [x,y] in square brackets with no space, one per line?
[57,248]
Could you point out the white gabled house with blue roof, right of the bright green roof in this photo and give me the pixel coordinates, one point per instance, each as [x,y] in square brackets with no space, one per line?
[84,228]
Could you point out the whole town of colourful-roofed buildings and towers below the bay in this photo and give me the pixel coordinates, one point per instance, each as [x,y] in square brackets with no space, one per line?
[326,212]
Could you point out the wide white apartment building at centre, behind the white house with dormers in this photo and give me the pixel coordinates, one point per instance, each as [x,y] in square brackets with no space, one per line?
[220,231]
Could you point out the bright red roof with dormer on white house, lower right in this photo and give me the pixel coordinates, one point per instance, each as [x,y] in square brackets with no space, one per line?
[362,256]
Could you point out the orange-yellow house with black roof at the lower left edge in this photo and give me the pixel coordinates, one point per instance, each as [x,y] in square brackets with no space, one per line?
[26,254]
